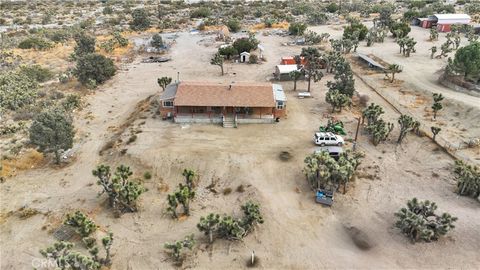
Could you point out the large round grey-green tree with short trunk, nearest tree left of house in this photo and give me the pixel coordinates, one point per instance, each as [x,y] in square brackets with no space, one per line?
[52,131]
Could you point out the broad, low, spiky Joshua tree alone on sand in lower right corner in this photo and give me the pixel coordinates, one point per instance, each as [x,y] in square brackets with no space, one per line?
[419,222]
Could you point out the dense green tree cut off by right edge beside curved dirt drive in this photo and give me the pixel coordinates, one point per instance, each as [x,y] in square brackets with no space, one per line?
[467,62]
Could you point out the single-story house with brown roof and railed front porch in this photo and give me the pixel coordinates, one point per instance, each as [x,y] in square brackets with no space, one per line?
[209,102]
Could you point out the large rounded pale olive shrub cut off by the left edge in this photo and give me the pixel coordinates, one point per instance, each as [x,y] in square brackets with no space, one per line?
[16,90]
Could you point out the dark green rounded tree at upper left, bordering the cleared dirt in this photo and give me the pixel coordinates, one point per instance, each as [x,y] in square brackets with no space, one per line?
[93,69]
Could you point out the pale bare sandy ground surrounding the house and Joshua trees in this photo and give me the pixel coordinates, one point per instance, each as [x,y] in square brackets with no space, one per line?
[297,233]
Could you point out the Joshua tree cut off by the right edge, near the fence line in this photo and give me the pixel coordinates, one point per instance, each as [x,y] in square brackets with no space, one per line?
[468,179]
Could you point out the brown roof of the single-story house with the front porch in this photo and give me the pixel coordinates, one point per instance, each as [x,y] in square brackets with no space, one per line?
[217,94]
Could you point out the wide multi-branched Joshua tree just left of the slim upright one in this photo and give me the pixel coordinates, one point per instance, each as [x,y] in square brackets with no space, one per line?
[122,192]
